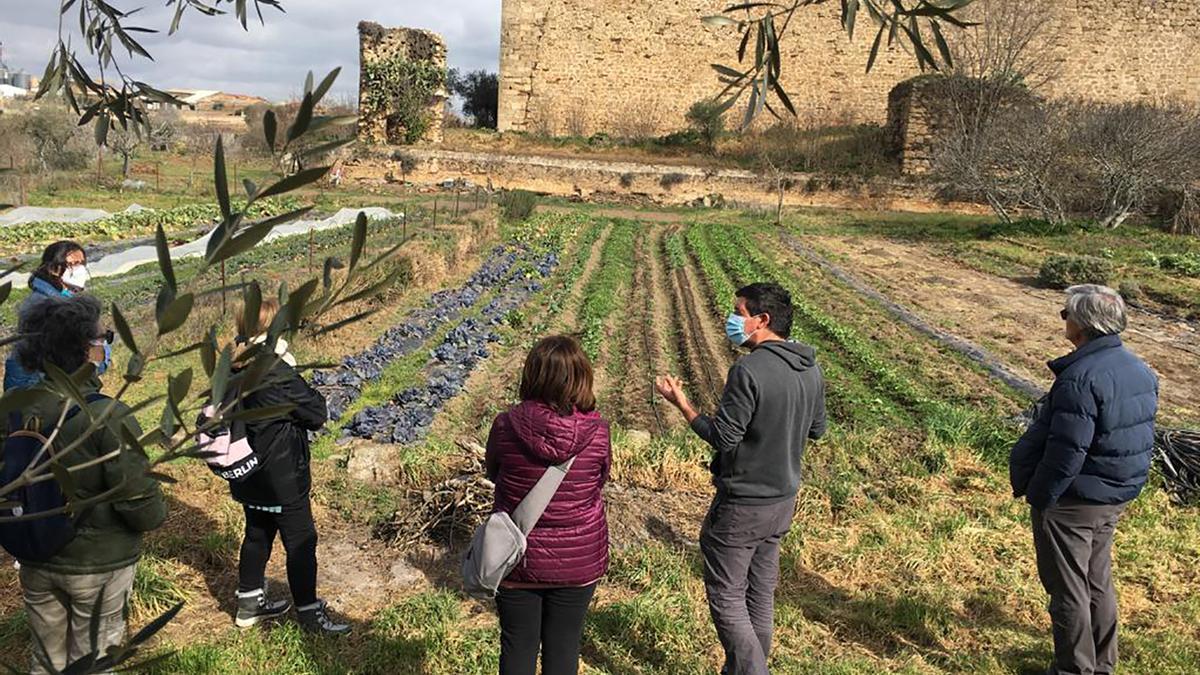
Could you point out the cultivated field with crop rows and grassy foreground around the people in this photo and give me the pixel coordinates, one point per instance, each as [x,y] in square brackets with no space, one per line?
[907,555]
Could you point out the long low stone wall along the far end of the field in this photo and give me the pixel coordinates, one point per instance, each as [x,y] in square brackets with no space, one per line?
[645,183]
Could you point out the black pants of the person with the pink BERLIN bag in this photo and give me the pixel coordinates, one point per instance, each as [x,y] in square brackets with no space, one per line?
[296,527]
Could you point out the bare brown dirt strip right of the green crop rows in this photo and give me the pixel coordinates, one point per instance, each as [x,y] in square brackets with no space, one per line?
[1017,324]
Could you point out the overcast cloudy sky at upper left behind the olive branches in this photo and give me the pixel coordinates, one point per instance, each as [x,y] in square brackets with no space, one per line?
[272,61]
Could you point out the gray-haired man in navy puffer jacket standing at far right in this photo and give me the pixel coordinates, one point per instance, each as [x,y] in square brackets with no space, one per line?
[1084,458]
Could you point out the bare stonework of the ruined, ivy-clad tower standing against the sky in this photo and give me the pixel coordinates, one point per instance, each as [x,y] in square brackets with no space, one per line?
[379,44]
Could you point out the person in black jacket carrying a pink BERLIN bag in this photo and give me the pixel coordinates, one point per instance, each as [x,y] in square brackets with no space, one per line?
[277,497]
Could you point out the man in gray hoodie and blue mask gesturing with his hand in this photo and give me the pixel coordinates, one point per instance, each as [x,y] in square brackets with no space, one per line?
[773,404]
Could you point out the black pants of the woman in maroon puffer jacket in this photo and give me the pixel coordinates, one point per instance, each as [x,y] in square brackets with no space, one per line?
[548,618]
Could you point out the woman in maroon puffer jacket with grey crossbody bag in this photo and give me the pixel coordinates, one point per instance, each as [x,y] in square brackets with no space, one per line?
[544,601]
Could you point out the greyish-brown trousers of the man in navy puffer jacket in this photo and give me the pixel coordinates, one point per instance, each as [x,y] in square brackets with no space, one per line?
[1075,546]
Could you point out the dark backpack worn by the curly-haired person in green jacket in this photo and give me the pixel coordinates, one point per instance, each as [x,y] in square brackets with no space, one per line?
[43,539]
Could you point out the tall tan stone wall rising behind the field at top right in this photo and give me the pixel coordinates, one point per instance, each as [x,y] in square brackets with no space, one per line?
[622,67]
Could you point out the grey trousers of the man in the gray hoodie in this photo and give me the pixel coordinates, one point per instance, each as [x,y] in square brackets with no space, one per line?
[741,548]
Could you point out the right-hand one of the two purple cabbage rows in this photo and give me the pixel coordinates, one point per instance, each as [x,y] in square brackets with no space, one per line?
[409,416]
